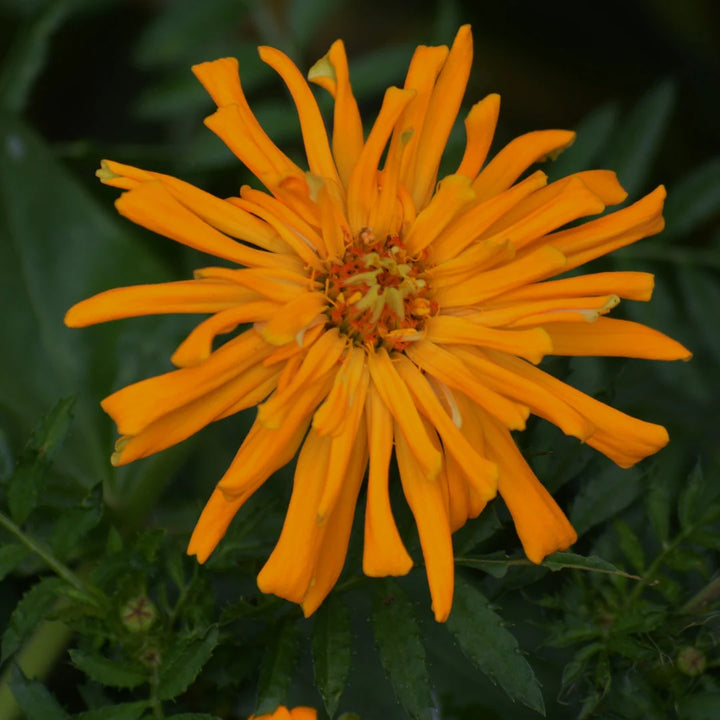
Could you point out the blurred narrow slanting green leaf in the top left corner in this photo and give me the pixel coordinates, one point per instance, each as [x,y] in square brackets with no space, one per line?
[27,56]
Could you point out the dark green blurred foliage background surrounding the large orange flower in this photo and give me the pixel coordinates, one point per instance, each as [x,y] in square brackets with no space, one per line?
[104,618]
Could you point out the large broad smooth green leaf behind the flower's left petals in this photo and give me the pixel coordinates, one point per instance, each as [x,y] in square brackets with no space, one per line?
[50,259]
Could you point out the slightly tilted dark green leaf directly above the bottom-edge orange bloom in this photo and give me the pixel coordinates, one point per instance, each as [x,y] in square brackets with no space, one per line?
[278,667]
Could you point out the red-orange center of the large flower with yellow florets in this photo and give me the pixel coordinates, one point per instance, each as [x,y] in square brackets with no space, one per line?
[379,295]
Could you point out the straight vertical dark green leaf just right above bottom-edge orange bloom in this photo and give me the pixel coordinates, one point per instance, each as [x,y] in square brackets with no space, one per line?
[331,643]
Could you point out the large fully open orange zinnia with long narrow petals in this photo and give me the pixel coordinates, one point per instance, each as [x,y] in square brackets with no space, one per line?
[386,308]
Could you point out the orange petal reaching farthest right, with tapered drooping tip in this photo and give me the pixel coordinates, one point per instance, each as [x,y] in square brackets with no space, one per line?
[612,337]
